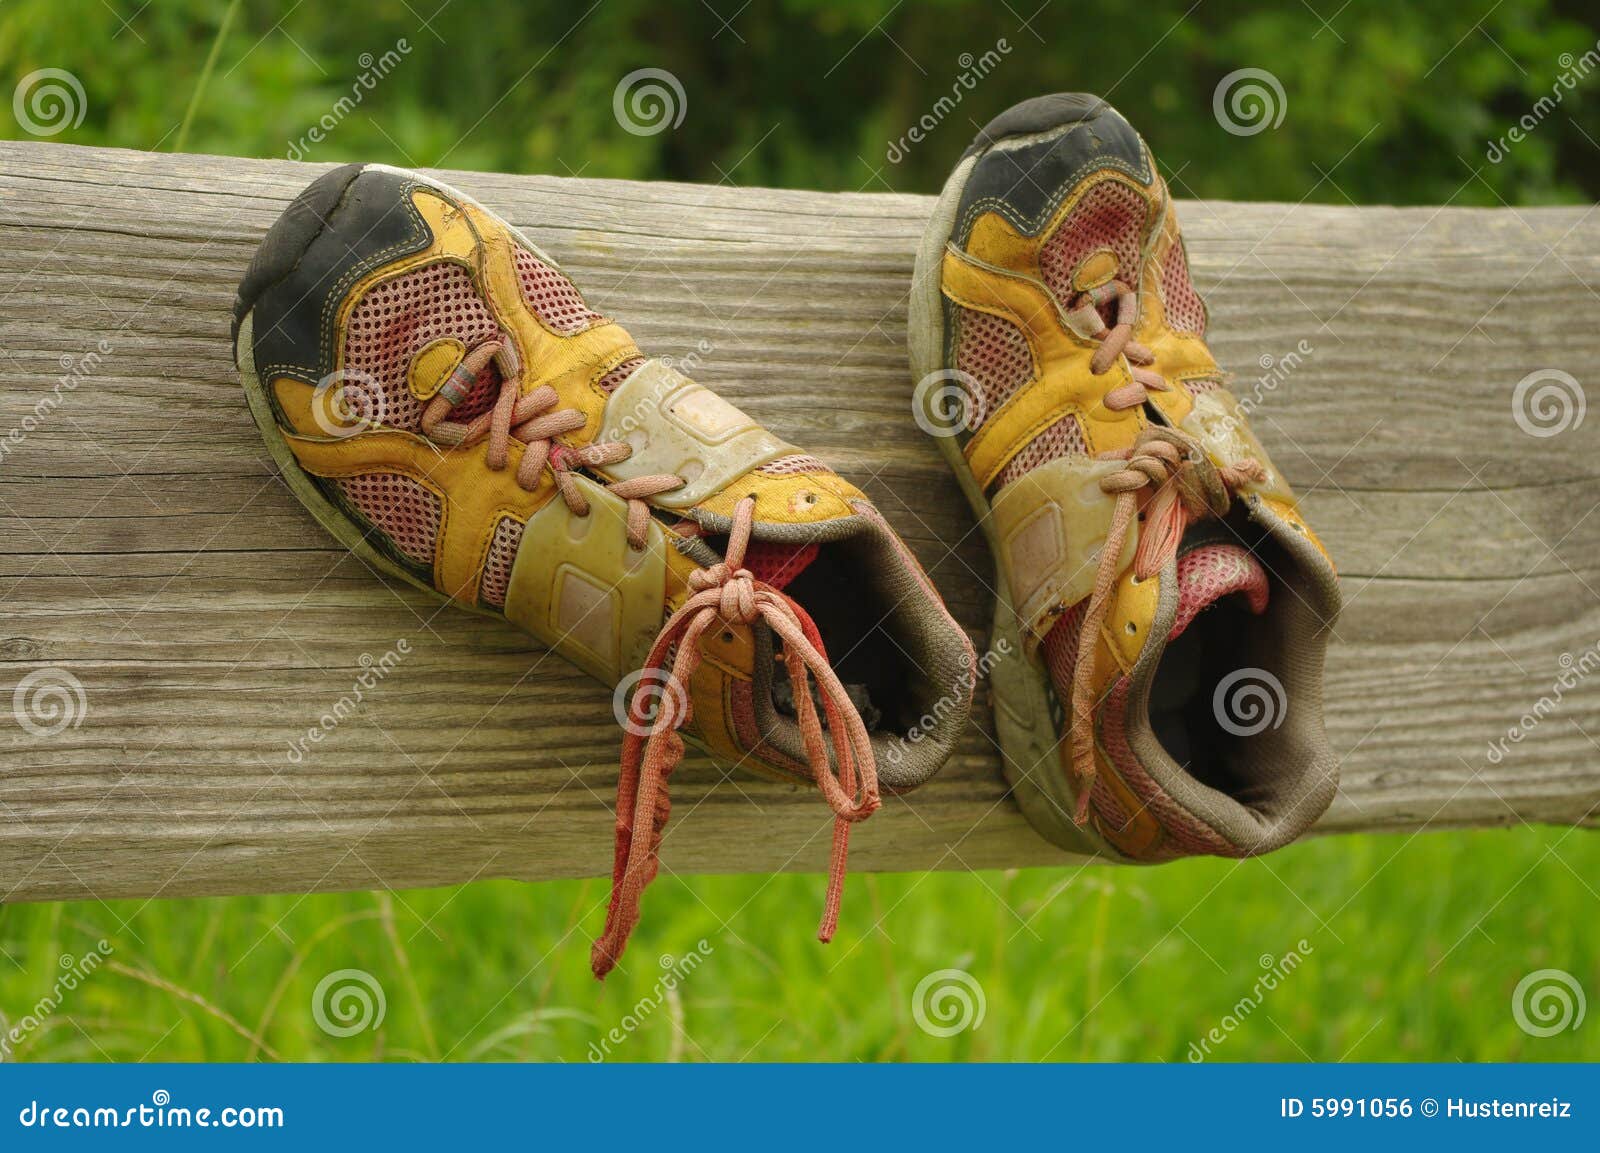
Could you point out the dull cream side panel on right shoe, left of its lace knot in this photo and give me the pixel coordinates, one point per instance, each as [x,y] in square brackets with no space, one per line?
[1050,527]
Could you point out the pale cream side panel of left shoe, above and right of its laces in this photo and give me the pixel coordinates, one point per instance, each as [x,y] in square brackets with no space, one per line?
[679,428]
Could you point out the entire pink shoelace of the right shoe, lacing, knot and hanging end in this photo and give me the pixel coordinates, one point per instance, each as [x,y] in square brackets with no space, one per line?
[1186,489]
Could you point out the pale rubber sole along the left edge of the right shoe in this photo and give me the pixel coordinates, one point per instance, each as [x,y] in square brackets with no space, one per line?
[1025,722]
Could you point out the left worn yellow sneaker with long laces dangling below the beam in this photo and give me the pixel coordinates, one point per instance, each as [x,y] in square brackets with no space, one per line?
[442,399]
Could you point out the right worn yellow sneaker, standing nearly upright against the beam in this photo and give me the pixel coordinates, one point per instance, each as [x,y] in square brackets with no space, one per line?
[1174,604]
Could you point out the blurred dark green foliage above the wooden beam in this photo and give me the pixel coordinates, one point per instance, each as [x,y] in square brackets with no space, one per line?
[1390,103]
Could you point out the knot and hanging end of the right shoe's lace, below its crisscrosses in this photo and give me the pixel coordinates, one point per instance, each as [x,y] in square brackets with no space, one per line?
[1186,489]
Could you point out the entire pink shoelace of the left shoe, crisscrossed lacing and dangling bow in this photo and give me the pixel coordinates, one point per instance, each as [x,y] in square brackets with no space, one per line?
[721,594]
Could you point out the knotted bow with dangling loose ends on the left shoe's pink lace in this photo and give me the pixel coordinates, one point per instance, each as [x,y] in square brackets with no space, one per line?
[727,594]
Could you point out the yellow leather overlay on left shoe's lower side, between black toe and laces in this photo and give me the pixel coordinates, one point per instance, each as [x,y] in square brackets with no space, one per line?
[474,498]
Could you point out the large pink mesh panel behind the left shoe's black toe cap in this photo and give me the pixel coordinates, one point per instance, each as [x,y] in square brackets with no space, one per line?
[396,321]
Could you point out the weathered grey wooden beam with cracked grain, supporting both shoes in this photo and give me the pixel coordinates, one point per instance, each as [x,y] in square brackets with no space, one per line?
[148,548]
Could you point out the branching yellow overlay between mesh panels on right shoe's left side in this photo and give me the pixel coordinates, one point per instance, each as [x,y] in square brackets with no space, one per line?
[1068,386]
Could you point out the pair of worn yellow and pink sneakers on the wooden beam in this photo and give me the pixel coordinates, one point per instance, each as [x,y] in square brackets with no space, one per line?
[442,399]
